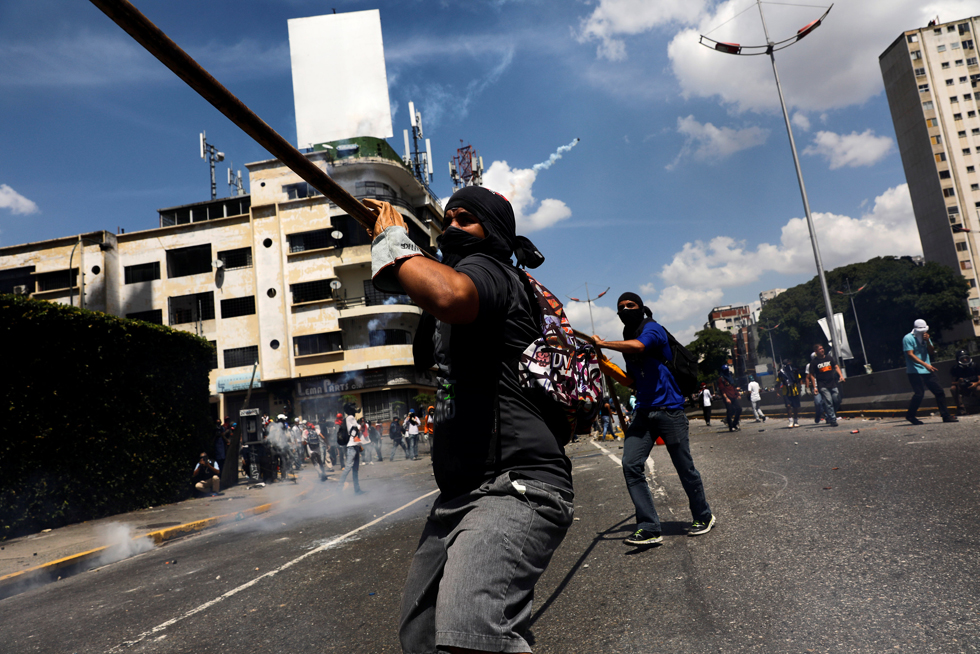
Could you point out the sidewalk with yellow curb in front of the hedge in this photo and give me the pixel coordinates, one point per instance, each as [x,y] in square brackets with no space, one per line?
[36,559]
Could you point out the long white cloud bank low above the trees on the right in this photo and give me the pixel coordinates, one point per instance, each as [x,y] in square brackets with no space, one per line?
[697,275]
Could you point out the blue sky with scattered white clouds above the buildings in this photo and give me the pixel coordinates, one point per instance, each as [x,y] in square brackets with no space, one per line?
[682,187]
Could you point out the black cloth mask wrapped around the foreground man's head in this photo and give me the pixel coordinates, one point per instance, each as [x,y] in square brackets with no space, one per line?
[496,216]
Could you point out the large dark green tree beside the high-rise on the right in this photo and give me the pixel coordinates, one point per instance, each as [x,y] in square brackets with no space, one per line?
[897,292]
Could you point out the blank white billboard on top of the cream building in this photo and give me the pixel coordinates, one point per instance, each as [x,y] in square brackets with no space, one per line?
[340,87]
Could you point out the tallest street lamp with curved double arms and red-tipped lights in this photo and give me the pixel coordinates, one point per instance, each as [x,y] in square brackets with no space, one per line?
[769,49]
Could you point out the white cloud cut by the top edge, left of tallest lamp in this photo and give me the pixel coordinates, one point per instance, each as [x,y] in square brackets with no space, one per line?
[630,17]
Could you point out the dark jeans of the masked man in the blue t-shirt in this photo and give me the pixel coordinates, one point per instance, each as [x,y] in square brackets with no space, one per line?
[671,426]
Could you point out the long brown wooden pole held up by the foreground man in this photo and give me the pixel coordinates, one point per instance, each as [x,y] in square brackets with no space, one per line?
[183,65]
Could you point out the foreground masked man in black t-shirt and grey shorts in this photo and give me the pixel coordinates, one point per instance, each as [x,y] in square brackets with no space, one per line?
[505,482]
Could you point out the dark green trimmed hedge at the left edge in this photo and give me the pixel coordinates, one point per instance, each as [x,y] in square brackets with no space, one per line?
[103,415]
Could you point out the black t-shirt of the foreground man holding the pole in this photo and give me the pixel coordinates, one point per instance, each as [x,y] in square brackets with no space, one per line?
[476,366]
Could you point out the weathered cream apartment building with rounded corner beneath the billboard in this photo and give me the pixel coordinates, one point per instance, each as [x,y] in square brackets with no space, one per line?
[280,278]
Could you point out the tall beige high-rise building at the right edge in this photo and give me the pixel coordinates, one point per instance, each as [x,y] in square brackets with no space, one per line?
[931,79]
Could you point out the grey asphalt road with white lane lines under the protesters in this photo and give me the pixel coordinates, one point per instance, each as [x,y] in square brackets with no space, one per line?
[827,541]
